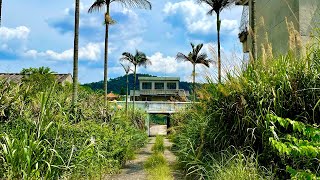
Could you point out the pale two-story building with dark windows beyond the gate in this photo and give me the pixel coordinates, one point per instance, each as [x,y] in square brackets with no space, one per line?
[159,89]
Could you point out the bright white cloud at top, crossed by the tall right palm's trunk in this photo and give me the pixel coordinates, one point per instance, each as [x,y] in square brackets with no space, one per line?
[196,18]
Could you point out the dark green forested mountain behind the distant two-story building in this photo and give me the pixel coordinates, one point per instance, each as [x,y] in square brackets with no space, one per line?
[118,85]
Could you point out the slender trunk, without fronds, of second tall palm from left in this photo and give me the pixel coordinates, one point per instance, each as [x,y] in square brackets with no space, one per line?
[106,60]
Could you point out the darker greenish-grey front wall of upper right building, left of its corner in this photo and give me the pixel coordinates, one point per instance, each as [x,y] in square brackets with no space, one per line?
[271,23]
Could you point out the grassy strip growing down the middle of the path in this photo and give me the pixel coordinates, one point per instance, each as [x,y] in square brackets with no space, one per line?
[157,165]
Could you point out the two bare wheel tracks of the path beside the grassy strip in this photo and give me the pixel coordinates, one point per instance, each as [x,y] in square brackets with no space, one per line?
[134,170]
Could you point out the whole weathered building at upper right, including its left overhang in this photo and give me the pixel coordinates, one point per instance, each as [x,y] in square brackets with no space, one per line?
[275,20]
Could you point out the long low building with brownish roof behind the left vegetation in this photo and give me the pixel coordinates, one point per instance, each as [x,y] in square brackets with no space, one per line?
[17,77]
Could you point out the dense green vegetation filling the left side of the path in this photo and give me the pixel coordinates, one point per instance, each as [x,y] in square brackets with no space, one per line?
[40,138]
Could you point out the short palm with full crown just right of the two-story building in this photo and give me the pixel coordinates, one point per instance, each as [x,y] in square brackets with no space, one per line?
[195,57]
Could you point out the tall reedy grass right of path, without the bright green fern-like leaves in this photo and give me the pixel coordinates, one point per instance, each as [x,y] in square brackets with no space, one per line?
[233,113]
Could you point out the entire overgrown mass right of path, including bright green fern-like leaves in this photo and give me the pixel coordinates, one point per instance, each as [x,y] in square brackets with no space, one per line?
[270,109]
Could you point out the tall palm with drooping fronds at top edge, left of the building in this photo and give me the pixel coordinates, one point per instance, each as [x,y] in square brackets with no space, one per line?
[97,6]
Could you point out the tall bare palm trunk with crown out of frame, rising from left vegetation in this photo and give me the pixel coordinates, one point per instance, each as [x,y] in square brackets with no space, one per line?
[75,57]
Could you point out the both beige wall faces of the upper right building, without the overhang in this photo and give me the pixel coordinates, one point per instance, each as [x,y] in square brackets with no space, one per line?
[271,15]
